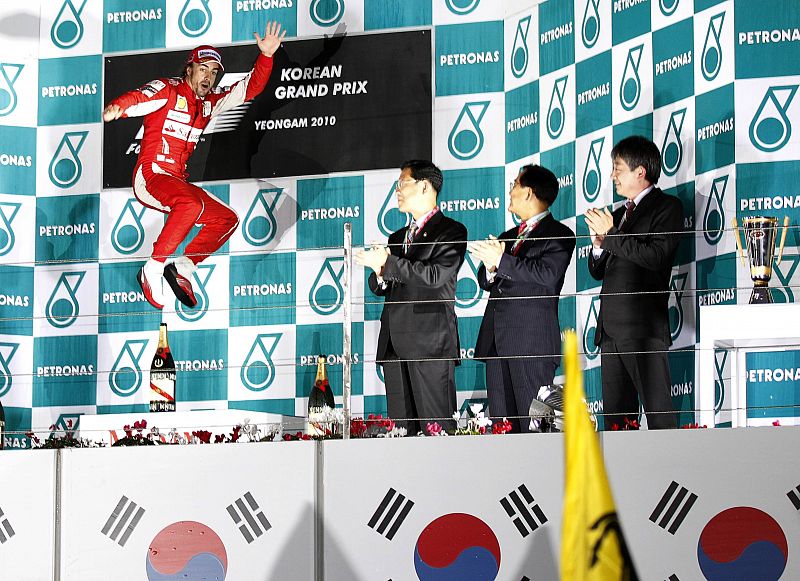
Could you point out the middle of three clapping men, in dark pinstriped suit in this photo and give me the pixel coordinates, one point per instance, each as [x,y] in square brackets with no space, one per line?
[520,337]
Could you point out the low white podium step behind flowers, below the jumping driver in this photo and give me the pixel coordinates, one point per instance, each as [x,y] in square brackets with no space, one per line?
[108,428]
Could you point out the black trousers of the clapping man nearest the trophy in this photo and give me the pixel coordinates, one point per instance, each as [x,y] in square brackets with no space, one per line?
[635,370]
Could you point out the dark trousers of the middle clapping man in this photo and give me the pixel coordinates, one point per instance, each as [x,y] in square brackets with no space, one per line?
[513,383]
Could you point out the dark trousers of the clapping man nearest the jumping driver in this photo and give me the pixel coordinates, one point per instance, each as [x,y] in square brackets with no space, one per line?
[420,389]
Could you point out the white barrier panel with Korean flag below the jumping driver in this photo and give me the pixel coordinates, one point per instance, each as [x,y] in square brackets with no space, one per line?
[189,512]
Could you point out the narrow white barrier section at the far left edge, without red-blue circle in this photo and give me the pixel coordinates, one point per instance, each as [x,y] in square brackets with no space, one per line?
[26,515]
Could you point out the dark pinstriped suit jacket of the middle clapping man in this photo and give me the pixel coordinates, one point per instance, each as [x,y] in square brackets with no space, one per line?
[520,326]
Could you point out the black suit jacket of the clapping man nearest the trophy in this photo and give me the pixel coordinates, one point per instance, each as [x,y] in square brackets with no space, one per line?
[639,265]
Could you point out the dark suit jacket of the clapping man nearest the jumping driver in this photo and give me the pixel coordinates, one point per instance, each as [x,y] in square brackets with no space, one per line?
[419,313]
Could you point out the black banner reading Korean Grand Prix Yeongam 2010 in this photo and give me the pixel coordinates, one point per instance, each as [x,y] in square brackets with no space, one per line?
[338,104]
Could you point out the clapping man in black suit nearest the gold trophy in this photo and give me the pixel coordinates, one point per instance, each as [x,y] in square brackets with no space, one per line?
[633,250]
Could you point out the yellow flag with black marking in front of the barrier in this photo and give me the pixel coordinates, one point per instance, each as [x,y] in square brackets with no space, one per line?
[592,544]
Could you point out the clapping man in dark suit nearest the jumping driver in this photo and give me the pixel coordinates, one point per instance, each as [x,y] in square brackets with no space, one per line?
[418,341]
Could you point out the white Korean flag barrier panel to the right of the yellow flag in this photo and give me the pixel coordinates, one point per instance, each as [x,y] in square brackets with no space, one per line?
[728,495]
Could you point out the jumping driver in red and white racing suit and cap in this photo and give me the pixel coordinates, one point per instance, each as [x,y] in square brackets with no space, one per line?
[176,111]
